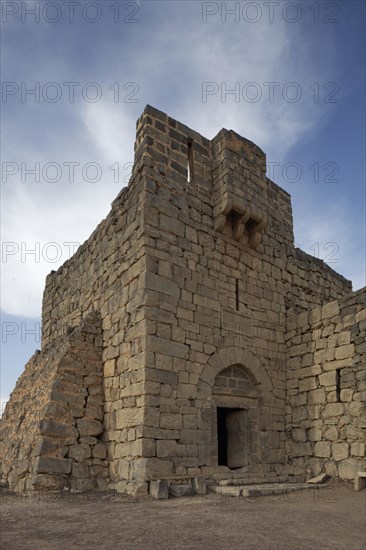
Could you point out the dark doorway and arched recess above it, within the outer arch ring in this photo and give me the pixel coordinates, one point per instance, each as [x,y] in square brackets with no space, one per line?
[235,398]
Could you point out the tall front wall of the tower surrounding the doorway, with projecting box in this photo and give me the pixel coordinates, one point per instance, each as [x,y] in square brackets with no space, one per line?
[217,280]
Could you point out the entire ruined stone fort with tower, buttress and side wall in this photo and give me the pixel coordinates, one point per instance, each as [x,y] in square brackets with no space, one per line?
[188,341]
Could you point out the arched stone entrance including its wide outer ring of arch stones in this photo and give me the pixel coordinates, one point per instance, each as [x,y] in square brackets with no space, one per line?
[240,413]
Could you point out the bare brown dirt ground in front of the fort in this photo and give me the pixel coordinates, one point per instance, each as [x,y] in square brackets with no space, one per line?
[328,518]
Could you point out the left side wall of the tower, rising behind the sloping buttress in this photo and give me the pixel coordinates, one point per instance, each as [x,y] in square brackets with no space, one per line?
[105,275]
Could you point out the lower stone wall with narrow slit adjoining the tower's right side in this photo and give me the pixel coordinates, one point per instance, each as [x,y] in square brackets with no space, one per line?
[326,388]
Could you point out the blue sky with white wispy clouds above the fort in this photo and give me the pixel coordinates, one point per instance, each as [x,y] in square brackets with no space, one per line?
[297,71]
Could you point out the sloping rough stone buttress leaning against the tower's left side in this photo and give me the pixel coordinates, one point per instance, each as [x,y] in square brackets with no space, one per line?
[51,433]
